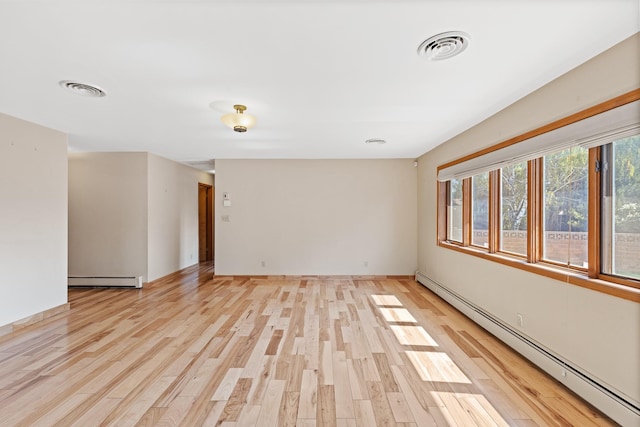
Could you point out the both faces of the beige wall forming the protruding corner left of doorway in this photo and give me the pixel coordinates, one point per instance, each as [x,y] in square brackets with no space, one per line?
[132,214]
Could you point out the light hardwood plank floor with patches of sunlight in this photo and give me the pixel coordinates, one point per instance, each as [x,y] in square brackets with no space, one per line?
[239,351]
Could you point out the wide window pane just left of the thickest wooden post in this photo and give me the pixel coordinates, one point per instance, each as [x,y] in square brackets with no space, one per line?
[565,199]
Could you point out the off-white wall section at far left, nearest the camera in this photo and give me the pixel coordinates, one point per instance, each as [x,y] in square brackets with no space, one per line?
[33,225]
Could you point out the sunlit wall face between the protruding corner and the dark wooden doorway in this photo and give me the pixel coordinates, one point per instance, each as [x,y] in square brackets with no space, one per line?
[173,215]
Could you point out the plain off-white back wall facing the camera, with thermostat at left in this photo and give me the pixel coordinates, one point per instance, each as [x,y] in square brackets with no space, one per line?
[316,217]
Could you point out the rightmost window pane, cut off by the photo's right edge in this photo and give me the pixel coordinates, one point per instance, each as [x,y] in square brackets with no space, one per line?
[621,208]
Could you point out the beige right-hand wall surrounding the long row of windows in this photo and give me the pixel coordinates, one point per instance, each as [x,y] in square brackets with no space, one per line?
[596,332]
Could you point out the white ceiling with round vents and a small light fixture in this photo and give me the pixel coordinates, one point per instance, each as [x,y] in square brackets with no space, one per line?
[320,76]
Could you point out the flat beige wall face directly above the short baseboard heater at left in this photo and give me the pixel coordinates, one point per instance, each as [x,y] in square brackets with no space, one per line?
[108,214]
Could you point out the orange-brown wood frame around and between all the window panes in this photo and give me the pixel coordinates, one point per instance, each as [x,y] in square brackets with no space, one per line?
[592,277]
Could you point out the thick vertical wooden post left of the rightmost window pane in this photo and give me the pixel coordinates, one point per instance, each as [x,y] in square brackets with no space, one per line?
[594,211]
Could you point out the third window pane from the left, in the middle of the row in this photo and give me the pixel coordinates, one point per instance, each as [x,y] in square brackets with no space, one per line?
[513,209]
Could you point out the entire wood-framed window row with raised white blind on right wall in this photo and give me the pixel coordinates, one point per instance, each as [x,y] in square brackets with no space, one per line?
[562,201]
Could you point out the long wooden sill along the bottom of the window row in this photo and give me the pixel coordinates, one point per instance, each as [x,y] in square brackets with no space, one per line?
[566,275]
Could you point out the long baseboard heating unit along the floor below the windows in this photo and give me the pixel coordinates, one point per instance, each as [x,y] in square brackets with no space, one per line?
[613,403]
